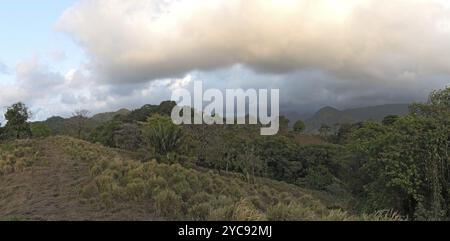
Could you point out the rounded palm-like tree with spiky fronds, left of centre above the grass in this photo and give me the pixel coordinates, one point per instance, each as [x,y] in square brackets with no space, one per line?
[162,134]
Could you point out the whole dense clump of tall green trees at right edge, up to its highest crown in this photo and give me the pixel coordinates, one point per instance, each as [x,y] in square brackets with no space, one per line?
[404,166]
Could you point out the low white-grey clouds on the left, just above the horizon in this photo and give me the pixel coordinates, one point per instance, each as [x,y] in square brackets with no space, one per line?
[48,92]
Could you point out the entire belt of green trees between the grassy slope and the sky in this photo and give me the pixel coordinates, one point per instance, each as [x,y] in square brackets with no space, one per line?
[401,164]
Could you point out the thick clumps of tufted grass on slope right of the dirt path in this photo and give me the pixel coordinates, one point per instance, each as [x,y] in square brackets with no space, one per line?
[179,193]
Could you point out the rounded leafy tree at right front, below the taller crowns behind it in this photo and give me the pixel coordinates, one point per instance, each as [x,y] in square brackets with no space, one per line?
[408,167]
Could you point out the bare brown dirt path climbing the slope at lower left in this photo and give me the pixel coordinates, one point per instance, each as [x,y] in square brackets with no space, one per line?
[50,191]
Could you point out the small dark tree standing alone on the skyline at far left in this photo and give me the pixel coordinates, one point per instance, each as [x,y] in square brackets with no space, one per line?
[17,116]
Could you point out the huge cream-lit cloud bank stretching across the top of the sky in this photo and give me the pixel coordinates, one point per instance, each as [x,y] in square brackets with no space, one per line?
[141,40]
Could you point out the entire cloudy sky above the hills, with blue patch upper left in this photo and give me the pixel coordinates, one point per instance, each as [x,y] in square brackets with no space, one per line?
[103,55]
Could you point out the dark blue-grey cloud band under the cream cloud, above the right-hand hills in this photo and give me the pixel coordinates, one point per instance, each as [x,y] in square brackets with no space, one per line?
[307,91]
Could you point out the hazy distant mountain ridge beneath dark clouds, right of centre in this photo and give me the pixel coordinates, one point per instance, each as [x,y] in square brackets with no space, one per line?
[332,116]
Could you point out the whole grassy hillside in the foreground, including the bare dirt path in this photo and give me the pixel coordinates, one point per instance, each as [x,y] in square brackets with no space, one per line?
[61,178]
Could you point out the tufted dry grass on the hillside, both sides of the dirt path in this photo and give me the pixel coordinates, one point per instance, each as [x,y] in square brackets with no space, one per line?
[174,192]
